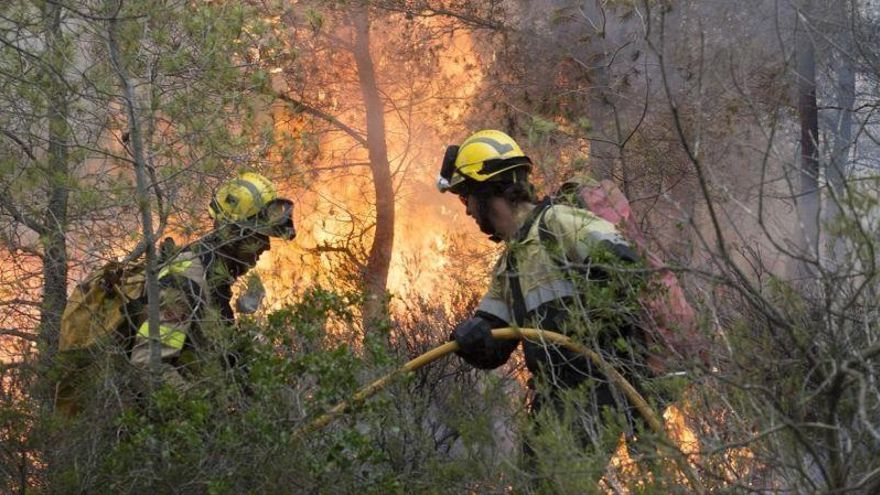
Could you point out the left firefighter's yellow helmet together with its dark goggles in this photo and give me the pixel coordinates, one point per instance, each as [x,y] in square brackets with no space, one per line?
[252,201]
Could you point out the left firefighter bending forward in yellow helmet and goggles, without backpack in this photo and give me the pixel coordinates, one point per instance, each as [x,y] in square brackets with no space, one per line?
[196,284]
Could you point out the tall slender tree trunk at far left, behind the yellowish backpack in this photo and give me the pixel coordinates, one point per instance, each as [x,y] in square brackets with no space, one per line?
[53,239]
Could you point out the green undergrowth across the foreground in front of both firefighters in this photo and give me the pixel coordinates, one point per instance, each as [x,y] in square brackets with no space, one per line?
[237,429]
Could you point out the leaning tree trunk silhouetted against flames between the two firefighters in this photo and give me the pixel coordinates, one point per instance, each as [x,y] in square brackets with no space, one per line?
[379,260]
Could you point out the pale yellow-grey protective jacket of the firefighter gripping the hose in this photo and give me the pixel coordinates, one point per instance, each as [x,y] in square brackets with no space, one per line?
[539,281]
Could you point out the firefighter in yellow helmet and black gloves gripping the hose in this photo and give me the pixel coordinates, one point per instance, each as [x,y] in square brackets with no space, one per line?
[554,254]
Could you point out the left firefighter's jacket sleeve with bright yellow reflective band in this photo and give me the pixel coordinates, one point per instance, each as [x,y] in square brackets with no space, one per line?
[178,307]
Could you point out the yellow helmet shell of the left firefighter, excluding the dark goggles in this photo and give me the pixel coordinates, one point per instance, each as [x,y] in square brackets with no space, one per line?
[242,198]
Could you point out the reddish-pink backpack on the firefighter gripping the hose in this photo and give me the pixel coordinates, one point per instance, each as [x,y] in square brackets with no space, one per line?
[668,320]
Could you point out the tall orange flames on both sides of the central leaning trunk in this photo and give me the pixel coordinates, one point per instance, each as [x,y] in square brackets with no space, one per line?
[337,204]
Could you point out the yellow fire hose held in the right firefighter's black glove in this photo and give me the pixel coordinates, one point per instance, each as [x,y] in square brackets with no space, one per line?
[648,414]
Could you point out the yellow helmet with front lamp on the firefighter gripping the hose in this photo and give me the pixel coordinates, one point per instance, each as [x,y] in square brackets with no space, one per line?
[484,156]
